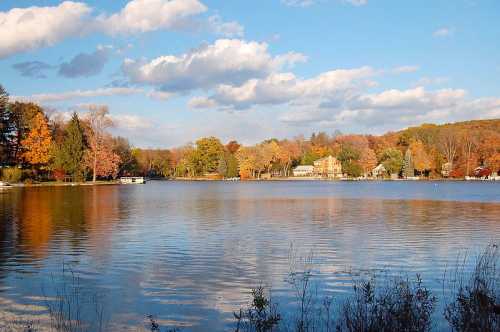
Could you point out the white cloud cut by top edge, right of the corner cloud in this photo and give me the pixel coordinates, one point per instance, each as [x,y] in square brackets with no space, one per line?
[140,16]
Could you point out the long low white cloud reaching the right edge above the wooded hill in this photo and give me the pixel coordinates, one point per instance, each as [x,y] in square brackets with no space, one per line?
[394,108]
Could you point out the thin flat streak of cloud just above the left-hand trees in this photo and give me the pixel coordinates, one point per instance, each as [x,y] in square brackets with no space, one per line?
[63,96]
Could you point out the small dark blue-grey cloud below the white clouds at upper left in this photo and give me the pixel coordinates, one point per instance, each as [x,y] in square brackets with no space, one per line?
[85,64]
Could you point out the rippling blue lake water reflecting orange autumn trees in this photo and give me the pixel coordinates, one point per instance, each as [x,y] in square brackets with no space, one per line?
[189,253]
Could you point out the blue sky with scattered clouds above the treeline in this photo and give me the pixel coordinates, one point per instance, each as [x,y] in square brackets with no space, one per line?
[172,71]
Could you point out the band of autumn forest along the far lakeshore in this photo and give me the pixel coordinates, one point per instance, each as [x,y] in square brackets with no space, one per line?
[37,147]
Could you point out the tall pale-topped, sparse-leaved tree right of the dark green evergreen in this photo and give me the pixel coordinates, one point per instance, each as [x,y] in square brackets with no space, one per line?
[98,122]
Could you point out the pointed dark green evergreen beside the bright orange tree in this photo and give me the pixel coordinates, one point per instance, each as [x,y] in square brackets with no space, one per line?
[69,154]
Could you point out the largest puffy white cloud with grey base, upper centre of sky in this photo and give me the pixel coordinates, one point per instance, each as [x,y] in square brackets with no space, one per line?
[226,61]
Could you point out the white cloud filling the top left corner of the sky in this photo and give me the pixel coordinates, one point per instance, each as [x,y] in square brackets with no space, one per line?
[24,29]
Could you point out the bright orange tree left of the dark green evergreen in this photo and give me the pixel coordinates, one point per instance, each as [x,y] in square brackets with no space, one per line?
[37,145]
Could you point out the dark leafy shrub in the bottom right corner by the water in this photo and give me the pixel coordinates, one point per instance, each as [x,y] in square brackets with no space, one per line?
[476,305]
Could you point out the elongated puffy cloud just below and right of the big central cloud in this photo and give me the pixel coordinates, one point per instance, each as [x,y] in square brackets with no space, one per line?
[281,88]
